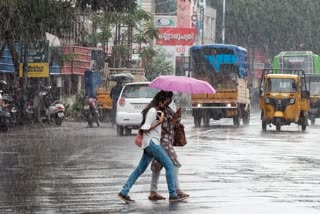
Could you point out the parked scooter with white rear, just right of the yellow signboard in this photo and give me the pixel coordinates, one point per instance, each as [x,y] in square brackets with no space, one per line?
[52,109]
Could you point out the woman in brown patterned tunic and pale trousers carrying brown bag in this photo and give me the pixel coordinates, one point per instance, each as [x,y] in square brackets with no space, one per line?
[172,119]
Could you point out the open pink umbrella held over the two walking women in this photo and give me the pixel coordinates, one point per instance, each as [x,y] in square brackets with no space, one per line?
[182,84]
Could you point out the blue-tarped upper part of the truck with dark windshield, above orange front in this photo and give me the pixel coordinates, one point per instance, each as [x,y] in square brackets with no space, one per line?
[219,64]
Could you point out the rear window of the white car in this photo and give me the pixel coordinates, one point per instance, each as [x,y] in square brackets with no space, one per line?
[139,91]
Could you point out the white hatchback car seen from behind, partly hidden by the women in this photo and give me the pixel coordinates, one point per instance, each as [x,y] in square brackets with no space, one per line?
[133,98]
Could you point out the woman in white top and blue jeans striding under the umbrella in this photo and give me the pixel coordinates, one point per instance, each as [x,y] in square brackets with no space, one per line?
[151,126]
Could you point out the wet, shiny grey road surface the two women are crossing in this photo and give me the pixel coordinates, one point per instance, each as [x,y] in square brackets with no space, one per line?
[74,169]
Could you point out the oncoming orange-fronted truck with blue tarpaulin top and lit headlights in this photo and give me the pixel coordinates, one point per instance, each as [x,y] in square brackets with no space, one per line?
[225,67]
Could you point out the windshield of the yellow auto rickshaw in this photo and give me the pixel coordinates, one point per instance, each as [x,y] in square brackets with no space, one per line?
[281,85]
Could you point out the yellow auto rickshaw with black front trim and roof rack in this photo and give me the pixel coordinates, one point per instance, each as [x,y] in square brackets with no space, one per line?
[284,98]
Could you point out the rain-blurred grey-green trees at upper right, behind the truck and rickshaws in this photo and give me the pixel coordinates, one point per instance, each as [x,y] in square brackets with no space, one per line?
[273,25]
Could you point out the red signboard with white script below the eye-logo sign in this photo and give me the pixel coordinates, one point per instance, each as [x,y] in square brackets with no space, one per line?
[176,36]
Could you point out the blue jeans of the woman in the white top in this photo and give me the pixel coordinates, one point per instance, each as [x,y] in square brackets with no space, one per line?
[150,152]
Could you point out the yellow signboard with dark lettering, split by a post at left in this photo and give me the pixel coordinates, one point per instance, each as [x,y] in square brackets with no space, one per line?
[35,70]
